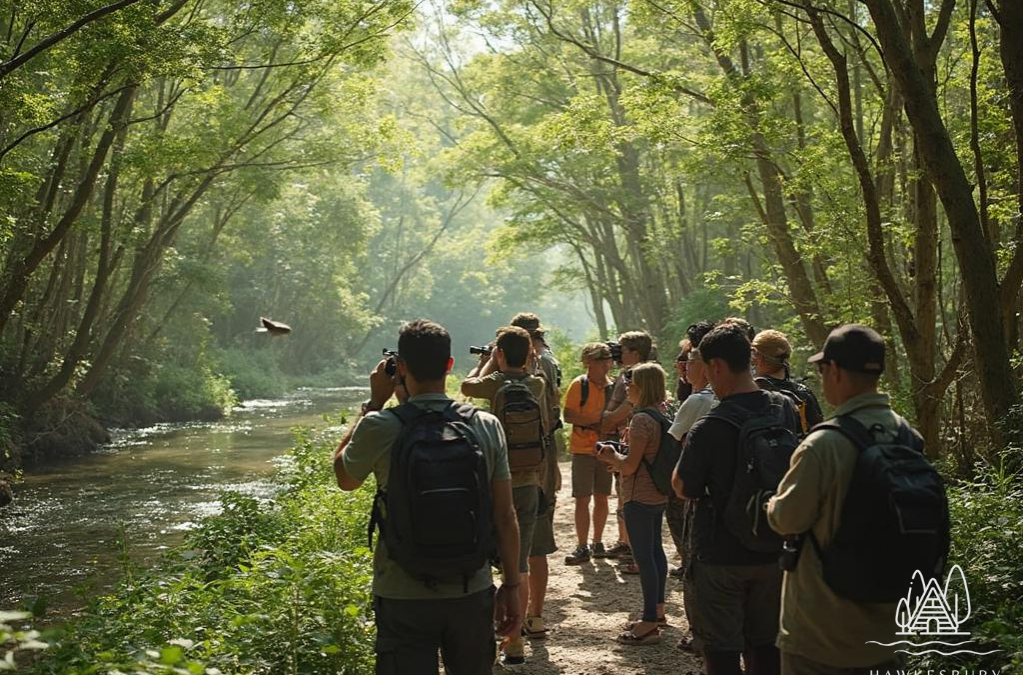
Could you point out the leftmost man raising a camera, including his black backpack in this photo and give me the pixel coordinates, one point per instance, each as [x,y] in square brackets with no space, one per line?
[430,600]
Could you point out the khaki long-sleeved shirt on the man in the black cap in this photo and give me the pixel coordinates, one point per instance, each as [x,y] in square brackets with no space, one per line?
[816,622]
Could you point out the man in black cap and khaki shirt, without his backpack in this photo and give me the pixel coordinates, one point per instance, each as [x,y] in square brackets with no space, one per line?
[822,634]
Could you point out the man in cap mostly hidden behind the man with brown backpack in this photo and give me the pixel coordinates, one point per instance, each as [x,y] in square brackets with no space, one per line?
[544,365]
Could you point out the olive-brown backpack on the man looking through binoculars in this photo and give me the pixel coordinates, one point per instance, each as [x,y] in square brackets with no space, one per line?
[522,417]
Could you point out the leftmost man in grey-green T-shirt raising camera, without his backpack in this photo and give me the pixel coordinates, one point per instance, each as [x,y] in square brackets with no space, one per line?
[456,616]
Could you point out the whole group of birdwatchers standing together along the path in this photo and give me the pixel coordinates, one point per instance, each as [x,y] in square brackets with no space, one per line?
[699,462]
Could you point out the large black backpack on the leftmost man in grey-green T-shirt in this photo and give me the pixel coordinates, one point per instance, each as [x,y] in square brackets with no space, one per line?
[436,514]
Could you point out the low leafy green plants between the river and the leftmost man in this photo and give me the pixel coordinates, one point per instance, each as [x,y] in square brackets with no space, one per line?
[280,587]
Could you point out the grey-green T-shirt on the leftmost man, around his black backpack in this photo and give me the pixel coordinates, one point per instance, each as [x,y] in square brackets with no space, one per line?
[370,452]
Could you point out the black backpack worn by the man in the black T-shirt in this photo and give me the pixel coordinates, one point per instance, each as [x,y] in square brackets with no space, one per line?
[766,444]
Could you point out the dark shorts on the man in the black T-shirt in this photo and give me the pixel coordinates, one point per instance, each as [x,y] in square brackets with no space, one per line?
[736,608]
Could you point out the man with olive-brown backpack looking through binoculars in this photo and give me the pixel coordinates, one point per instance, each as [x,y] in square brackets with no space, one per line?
[520,401]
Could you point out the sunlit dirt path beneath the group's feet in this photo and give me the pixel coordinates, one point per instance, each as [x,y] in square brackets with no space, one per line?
[587,607]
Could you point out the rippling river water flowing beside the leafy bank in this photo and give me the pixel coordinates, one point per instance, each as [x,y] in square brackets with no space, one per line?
[61,541]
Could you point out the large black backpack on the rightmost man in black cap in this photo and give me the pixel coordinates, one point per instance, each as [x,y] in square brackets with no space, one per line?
[895,517]
